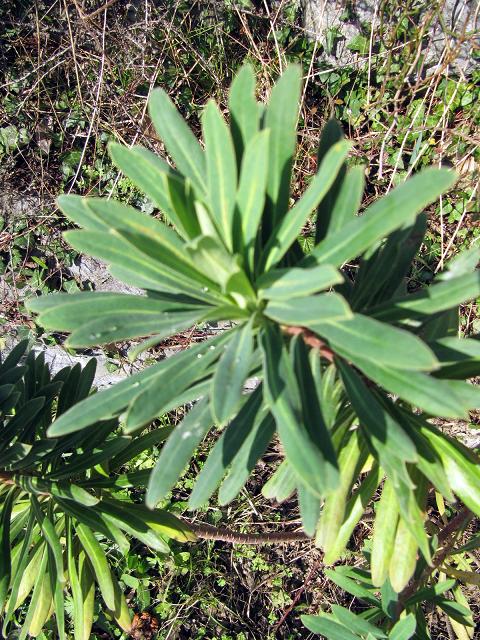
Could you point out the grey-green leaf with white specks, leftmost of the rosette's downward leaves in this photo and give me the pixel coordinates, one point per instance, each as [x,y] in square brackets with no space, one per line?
[177,451]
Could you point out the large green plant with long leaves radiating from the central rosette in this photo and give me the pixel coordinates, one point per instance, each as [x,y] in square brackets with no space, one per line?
[342,351]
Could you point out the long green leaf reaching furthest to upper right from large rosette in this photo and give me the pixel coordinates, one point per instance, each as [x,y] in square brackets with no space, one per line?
[399,207]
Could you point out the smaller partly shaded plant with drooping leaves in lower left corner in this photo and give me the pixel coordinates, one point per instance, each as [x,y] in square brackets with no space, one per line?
[60,504]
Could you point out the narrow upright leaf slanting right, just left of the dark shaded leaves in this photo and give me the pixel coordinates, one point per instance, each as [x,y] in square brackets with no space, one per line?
[290,226]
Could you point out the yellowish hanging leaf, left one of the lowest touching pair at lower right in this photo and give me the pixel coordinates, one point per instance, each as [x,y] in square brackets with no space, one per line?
[384,529]
